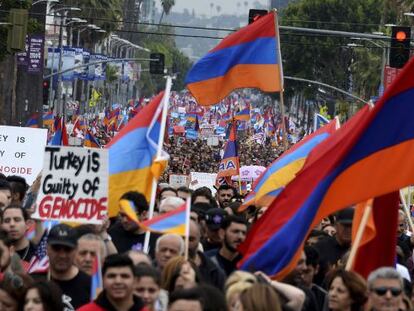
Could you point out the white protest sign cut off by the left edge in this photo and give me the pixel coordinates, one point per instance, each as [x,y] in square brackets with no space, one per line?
[21,151]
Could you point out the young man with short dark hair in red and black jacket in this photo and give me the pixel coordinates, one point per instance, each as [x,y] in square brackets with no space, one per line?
[118,287]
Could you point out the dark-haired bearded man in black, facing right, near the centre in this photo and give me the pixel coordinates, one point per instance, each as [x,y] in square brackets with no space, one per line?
[232,233]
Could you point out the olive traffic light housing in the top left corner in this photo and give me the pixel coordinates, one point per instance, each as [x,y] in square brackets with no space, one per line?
[16,37]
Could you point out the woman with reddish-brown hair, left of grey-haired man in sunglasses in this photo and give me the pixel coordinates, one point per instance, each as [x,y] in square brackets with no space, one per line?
[347,291]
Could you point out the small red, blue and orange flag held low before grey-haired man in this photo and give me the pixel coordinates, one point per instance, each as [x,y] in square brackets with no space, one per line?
[171,222]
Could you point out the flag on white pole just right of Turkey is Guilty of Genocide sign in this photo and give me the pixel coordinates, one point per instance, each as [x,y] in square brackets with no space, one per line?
[131,155]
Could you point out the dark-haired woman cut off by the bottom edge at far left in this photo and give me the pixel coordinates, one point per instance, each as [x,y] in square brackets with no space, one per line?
[43,296]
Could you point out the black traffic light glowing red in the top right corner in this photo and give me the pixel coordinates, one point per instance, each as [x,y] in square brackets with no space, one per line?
[400,46]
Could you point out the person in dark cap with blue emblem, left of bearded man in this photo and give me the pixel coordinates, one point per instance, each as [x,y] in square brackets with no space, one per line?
[213,219]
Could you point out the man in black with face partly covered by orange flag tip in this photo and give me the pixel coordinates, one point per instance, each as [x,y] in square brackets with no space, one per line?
[126,234]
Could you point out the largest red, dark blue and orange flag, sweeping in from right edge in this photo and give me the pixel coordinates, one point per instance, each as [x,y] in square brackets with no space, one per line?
[368,157]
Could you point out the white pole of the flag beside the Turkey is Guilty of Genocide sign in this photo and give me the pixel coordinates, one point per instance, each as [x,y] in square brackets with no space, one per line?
[165,101]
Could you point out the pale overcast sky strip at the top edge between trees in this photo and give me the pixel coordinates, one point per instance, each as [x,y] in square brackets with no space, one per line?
[203,6]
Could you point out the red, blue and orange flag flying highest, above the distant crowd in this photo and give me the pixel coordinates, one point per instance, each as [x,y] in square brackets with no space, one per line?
[245,59]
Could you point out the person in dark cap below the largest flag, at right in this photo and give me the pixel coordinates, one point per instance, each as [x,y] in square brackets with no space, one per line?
[331,249]
